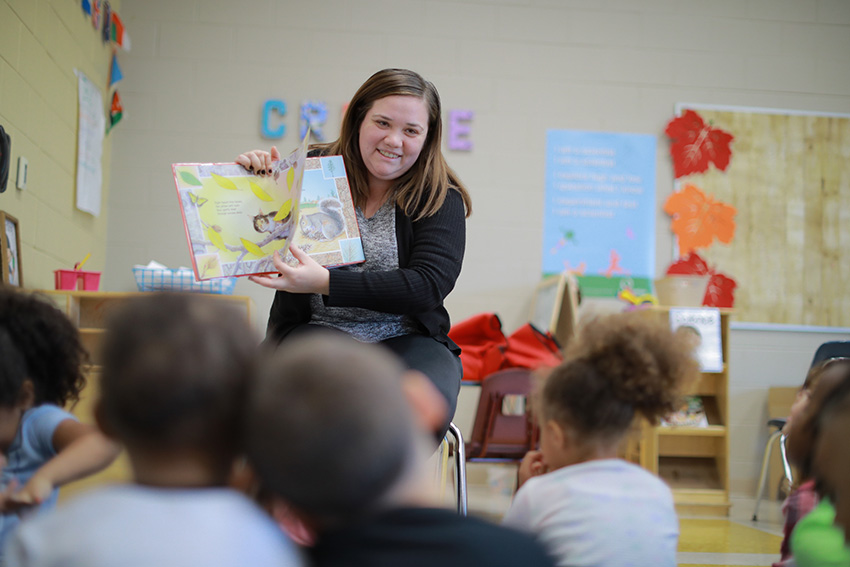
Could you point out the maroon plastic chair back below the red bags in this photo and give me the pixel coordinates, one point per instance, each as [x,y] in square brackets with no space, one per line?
[503,428]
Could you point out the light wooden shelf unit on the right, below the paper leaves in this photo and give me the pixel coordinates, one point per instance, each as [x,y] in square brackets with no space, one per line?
[694,461]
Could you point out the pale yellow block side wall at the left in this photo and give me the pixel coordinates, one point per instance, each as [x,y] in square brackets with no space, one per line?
[42,42]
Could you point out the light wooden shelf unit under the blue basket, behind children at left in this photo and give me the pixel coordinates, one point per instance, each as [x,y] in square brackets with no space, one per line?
[89,312]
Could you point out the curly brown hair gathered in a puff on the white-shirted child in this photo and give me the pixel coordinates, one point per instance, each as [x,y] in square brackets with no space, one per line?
[617,366]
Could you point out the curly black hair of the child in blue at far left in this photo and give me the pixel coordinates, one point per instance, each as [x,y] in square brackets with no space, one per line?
[38,343]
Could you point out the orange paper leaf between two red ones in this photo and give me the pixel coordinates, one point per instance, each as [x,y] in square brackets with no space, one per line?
[698,219]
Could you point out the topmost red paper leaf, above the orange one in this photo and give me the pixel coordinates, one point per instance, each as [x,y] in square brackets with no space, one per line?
[695,144]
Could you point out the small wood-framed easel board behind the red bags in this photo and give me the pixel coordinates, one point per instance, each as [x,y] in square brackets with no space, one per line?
[555,306]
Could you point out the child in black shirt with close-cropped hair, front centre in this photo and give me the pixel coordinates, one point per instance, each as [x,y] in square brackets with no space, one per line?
[339,432]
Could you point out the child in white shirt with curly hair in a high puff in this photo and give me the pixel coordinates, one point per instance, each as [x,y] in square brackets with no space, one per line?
[588,506]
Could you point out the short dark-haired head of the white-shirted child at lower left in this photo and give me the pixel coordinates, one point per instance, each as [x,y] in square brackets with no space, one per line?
[176,371]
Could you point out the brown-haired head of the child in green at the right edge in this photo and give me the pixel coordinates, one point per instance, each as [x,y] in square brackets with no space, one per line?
[831,459]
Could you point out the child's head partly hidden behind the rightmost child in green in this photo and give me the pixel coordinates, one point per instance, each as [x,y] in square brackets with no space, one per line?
[802,430]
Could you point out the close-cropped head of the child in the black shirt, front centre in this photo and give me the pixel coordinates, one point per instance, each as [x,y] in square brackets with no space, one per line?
[329,428]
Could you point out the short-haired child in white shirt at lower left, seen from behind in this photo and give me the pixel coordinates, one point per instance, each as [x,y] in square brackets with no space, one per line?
[176,372]
